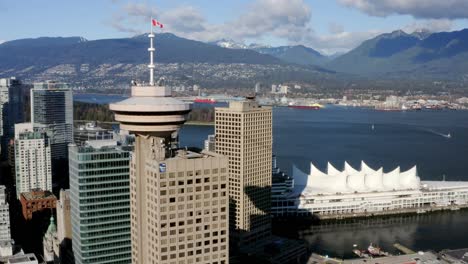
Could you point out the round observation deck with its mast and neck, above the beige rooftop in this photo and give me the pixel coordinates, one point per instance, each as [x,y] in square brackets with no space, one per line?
[152,114]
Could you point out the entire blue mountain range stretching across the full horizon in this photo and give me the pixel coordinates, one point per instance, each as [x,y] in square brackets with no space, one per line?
[420,55]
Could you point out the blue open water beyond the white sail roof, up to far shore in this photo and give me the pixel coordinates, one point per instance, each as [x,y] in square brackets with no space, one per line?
[337,134]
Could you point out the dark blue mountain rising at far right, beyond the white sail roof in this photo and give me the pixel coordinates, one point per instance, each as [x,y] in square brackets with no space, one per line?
[441,55]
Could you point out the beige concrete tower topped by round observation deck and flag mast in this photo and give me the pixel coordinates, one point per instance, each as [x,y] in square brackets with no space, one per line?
[178,197]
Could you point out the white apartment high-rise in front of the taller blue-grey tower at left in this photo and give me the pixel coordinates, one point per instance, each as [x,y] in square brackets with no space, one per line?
[32,159]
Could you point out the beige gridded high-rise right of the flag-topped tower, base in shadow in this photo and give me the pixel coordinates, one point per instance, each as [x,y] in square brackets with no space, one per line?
[244,134]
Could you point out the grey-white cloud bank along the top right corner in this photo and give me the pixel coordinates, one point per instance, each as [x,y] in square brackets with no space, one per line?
[436,9]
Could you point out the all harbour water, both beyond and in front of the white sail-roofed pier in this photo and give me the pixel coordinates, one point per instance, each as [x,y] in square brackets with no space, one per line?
[382,139]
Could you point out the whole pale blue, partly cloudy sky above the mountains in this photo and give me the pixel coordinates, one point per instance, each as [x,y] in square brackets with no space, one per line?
[328,26]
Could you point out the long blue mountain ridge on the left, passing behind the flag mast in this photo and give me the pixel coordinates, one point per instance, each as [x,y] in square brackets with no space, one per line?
[46,51]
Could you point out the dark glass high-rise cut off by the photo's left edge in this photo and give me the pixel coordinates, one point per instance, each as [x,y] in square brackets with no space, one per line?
[11,111]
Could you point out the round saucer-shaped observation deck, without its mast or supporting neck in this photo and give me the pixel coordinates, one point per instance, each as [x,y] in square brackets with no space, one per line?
[151,109]
